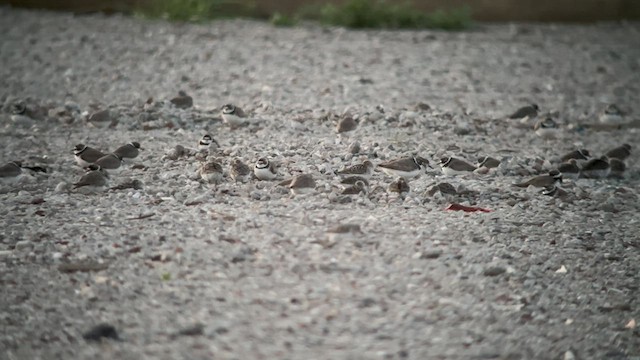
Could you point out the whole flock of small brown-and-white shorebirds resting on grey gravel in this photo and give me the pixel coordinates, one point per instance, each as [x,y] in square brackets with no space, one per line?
[355,179]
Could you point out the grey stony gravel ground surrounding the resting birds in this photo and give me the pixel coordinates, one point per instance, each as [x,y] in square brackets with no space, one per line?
[187,270]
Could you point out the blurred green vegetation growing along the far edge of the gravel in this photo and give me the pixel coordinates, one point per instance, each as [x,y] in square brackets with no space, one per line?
[357,14]
